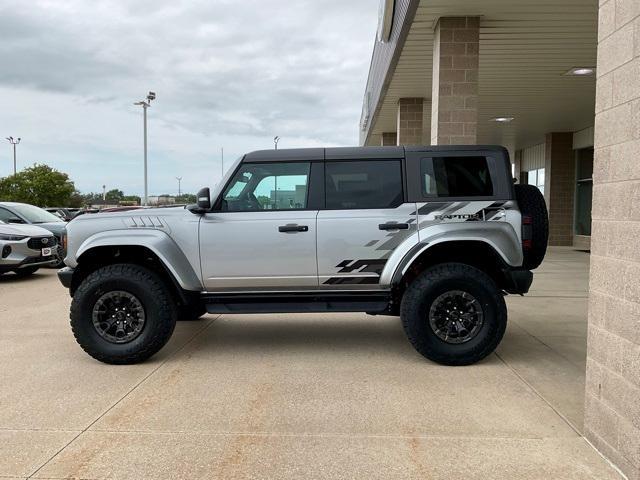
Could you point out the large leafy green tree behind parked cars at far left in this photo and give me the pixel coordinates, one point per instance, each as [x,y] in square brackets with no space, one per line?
[38,185]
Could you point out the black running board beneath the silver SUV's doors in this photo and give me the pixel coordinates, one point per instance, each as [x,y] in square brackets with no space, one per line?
[303,302]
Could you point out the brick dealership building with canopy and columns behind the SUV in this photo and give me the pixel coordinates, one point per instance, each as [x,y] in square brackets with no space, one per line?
[558,84]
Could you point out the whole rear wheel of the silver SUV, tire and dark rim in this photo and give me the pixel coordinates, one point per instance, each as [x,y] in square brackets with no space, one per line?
[453,314]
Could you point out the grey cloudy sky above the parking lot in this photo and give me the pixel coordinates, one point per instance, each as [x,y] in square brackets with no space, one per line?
[230,73]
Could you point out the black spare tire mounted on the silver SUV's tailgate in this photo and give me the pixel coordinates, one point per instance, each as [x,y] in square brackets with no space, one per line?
[535,225]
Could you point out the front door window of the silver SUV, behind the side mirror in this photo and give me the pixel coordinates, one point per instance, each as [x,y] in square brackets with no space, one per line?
[268,186]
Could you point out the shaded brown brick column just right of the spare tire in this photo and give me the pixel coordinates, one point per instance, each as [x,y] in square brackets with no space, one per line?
[560,184]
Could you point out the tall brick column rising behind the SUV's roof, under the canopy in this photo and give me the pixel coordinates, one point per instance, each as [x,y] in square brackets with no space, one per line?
[454,109]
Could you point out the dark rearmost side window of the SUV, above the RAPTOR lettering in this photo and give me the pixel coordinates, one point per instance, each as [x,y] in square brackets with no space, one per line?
[456,177]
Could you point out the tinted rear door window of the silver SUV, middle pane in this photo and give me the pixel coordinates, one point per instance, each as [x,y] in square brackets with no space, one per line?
[363,184]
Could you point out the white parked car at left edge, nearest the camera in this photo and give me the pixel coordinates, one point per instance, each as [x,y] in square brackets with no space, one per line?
[26,248]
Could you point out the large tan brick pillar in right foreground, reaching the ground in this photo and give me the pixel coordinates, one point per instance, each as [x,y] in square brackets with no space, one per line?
[612,403]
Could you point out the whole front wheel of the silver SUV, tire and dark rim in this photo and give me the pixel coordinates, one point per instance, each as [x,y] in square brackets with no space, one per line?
[122,314]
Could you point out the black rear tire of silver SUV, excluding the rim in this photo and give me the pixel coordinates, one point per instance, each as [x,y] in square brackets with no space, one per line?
[436,280]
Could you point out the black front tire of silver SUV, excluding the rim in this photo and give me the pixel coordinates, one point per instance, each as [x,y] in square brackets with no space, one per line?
[150,290]
